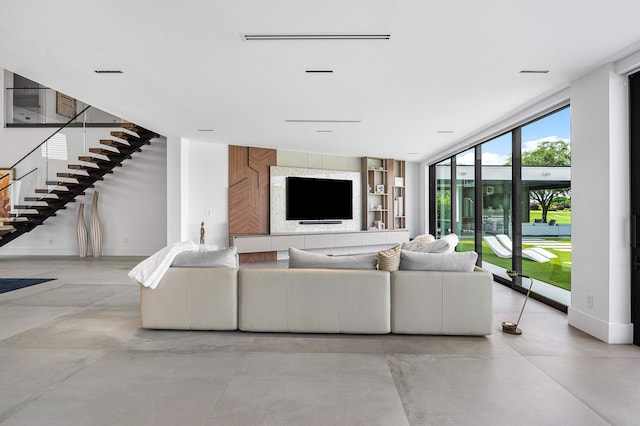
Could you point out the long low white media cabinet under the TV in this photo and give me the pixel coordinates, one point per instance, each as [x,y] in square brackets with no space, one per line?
[365,241]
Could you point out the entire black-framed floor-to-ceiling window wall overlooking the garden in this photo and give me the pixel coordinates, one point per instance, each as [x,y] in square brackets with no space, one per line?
[512,193]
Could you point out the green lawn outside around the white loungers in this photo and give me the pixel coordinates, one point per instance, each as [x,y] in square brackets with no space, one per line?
[555,272]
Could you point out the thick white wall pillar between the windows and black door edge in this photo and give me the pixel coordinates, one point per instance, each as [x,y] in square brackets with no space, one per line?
[600,206]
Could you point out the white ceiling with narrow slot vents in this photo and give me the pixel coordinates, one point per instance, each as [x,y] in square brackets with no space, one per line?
[448,69]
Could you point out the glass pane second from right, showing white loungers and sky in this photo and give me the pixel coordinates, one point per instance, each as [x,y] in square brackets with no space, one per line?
[496,204]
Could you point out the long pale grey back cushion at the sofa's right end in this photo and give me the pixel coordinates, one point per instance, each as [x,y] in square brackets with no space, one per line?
[454,262]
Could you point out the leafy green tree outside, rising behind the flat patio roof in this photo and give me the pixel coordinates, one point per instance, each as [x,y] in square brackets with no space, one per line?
[552,154]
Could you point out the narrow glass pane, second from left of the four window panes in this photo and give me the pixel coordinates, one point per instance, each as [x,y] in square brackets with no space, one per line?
[465,200]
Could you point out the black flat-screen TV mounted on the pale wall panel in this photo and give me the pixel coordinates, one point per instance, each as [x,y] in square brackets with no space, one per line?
[319,199]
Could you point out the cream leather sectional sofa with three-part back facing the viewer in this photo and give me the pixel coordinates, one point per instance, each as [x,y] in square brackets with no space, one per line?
[320,301]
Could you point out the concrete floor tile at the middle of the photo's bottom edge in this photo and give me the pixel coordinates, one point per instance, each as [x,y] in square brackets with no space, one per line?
[311,389]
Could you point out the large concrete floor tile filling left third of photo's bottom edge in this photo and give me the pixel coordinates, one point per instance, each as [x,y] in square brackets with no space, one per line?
[131,388]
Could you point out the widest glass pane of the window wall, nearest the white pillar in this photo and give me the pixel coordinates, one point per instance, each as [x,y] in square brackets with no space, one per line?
[546,203]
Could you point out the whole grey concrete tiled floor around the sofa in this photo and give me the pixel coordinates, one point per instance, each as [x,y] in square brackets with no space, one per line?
[72,353]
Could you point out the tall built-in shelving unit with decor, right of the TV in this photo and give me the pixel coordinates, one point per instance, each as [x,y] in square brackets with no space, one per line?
[383,200]
